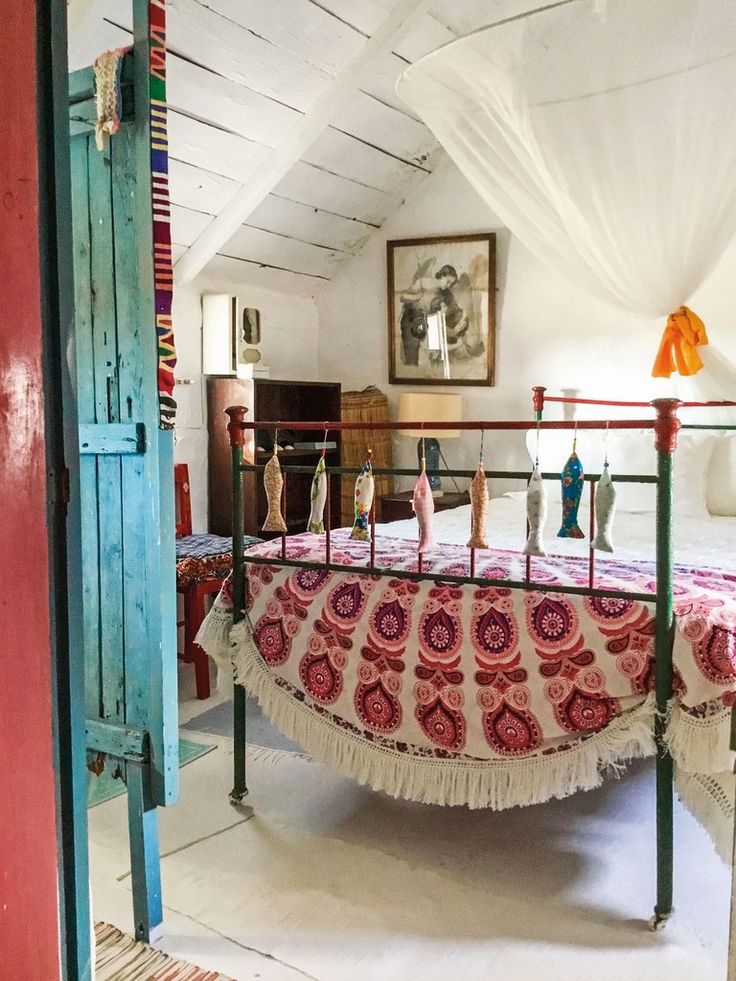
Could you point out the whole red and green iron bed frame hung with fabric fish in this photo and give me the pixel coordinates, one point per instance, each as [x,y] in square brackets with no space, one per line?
[665,427]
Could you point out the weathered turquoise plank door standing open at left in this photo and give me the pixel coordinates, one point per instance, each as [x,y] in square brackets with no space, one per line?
[126,470]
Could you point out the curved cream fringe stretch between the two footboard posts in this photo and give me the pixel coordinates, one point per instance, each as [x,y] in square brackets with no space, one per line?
[497,784]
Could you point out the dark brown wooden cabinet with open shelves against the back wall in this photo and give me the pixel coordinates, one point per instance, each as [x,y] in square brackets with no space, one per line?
[270,400]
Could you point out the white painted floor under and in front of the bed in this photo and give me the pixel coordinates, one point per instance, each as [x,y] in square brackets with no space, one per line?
[329,881]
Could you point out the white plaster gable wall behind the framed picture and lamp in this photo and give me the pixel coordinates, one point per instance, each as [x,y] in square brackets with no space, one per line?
[548,332]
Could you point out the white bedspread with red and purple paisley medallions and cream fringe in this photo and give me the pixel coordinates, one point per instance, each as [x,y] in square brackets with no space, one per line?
[465,678]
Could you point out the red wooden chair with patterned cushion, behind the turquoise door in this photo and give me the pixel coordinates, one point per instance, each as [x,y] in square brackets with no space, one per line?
[202,562]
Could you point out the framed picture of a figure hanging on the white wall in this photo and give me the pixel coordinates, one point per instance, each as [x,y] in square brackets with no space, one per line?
[441,294]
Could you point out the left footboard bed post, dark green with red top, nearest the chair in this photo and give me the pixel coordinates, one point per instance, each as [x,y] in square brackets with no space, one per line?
[237,441]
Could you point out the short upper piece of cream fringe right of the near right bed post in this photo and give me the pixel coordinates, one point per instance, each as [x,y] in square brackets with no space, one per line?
[700,745]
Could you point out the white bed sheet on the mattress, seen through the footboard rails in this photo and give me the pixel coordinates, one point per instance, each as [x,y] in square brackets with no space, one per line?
[707,542]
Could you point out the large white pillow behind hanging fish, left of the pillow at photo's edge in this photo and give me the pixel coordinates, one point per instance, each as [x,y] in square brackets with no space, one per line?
[631,451]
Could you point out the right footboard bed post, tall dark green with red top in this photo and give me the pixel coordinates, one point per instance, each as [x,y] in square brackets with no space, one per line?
[665,431]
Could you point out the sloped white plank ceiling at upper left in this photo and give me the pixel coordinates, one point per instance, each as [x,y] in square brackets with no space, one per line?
[242,75]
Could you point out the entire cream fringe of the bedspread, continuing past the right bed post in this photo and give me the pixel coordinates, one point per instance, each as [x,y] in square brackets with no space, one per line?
[699,747]
